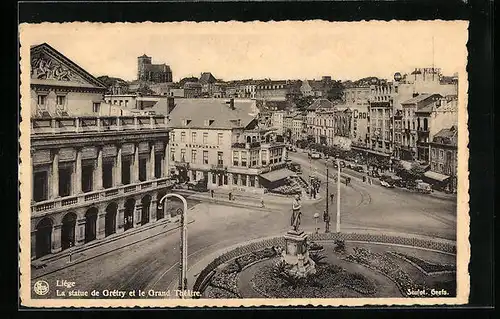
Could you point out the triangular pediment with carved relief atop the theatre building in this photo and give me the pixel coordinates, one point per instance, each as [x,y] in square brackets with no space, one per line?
[50,67]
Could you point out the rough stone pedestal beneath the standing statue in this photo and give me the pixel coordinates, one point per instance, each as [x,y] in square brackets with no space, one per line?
[296,254]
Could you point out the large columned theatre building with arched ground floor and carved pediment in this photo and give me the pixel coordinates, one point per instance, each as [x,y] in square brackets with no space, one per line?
[92,176]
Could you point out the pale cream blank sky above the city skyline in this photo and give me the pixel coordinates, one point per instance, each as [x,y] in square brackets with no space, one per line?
[276,50]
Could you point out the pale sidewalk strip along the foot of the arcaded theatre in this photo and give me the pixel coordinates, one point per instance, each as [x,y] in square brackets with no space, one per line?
[79,254]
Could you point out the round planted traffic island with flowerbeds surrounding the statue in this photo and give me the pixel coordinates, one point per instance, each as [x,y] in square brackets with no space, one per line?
[345,267]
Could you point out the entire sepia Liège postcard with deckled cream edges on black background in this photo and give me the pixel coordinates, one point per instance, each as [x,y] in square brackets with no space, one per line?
[244,163]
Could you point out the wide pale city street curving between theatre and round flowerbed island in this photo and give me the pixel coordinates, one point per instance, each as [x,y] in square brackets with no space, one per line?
[153,263]
